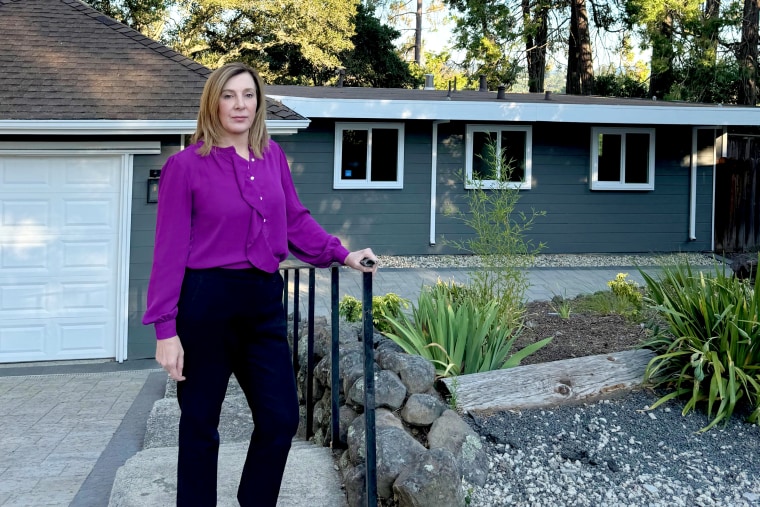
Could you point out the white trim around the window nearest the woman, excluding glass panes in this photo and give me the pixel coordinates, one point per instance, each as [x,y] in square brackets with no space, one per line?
[339,183]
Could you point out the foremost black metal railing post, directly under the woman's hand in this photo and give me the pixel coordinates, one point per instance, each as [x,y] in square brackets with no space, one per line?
[369,393]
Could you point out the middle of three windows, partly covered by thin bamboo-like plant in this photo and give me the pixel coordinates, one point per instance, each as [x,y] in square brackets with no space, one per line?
[485,142]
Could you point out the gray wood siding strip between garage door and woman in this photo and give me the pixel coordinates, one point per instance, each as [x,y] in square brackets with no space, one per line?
[142,340]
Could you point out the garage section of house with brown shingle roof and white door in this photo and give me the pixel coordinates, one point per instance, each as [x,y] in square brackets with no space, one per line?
[89,111]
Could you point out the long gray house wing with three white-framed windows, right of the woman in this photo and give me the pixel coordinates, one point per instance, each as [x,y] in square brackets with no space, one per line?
[613,175]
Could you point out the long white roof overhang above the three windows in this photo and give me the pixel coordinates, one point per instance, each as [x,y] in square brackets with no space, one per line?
[639,114]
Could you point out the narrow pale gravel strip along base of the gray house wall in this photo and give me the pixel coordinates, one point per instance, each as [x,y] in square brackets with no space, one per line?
[549,260]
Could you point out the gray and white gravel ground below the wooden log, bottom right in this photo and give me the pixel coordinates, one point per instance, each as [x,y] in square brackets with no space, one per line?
[612,453]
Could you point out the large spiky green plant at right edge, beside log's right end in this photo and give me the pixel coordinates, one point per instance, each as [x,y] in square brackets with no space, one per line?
[711,350]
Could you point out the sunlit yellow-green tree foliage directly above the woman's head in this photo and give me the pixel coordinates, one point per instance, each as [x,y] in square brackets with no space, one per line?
[288,41]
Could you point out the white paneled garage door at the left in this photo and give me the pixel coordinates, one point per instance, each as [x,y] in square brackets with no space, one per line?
[59,240]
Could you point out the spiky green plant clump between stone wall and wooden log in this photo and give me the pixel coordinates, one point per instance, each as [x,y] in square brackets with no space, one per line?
[457,334]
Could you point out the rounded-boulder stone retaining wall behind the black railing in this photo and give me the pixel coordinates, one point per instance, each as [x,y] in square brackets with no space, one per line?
[426,453]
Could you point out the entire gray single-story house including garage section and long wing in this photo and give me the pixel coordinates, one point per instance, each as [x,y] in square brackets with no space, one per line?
[91,109]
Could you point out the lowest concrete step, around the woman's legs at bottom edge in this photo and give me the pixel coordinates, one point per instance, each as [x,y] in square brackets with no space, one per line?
[148,479]
